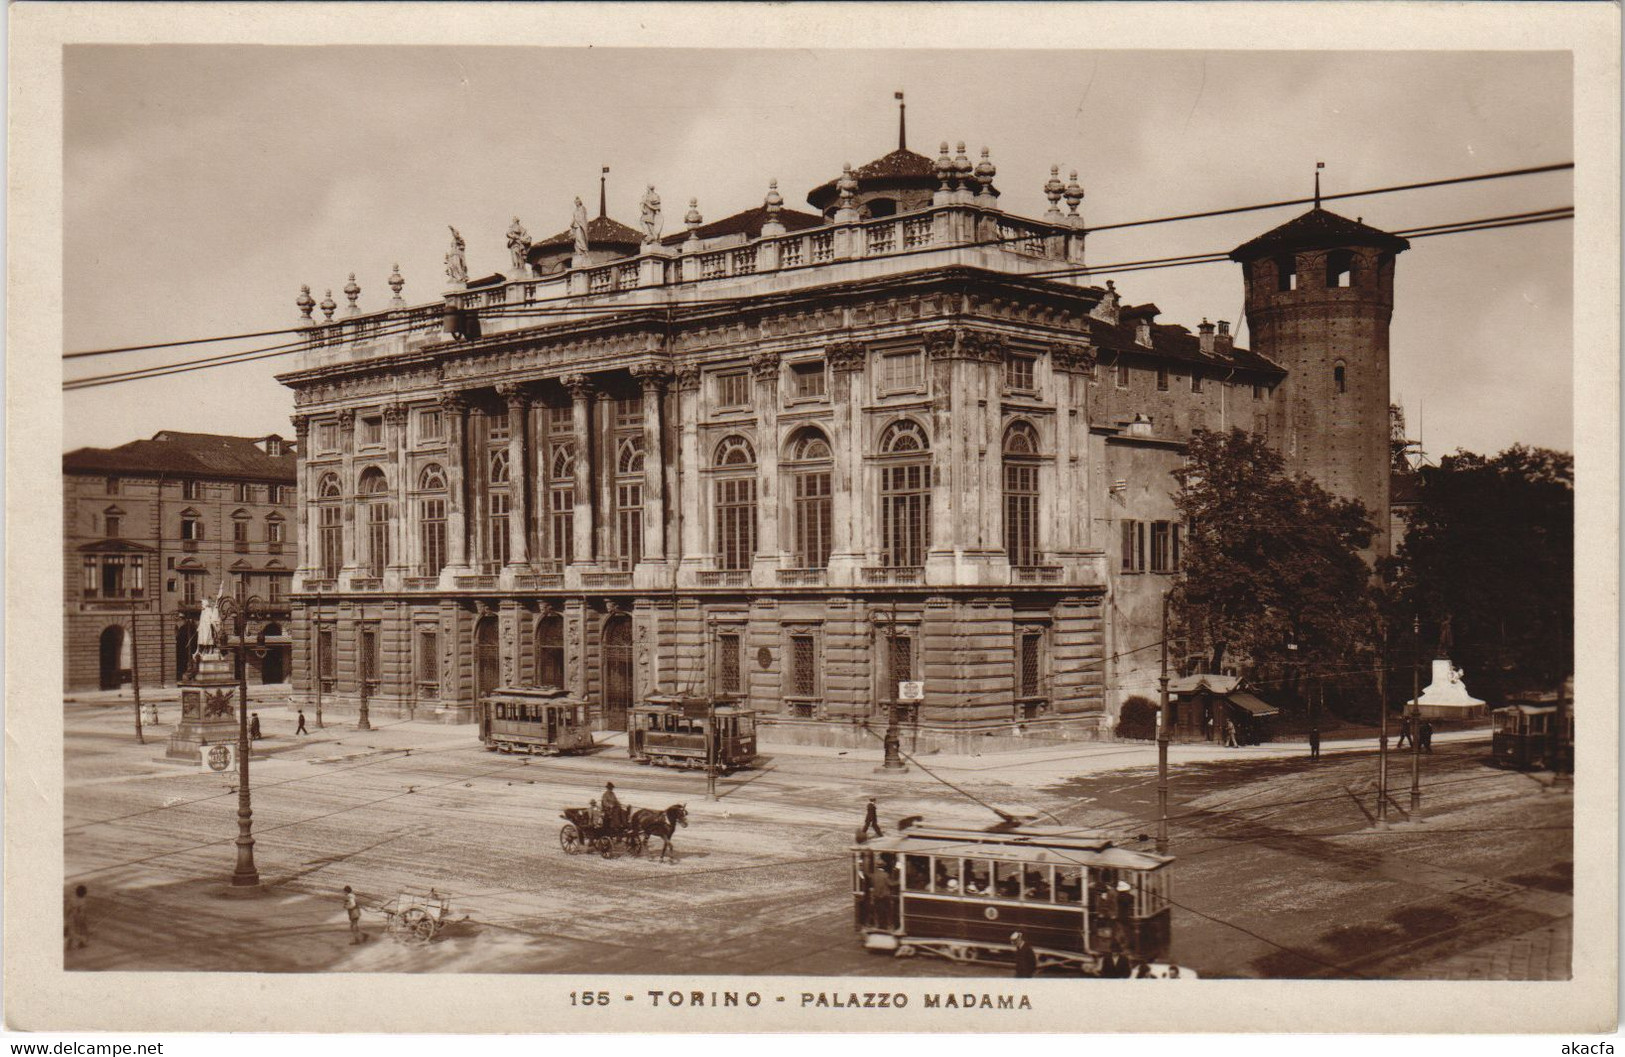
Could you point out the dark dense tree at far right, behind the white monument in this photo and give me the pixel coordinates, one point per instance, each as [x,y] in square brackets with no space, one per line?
[1491,544]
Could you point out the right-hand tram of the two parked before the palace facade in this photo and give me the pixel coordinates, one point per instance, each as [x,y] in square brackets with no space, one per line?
[690,733]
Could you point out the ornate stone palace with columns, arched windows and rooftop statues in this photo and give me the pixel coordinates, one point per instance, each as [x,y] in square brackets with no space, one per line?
[792,456]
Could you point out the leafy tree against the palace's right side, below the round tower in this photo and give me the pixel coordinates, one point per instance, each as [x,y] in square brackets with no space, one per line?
[1270,560]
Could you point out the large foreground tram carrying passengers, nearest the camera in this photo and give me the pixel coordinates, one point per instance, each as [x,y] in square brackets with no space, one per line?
[963,894]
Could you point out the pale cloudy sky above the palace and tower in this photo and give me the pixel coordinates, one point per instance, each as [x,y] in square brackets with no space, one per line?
[204,185]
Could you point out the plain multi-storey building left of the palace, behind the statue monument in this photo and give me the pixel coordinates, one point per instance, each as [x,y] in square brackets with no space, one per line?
[155,526]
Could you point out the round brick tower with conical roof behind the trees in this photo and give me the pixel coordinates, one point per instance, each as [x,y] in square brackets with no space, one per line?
[1320,292]
